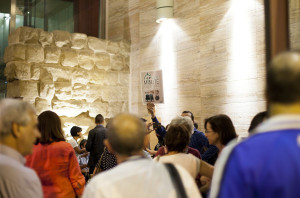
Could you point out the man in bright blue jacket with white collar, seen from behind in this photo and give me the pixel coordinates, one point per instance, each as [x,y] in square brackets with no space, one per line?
[267,164]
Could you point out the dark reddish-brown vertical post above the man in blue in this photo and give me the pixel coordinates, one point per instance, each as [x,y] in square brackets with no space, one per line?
[277,27]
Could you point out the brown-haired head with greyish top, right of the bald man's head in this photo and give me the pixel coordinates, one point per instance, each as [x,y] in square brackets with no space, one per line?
[179,133]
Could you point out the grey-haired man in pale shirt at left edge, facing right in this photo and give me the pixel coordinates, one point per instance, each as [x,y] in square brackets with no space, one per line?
[18,132]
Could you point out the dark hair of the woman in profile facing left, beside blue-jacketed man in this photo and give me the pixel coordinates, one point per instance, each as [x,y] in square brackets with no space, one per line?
[222,125]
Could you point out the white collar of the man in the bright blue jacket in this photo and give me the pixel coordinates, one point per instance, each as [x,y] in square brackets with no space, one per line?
[279,122]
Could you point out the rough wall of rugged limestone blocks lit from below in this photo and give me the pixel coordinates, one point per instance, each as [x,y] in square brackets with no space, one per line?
[74,75]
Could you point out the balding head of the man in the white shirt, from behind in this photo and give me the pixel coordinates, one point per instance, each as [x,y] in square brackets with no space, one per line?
[126,134]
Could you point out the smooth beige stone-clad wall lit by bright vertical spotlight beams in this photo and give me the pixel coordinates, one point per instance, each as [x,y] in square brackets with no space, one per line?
[212,54]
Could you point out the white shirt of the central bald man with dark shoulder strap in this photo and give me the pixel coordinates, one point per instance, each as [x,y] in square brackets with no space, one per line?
[140,178]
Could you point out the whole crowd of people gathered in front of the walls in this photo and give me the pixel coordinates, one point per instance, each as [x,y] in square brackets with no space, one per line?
[116,159]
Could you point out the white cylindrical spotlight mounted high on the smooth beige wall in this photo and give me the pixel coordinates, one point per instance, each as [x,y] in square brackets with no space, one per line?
[164,10]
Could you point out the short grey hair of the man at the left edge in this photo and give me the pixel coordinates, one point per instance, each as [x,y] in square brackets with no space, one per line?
[13,111]
